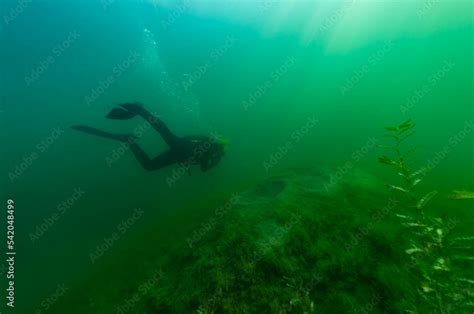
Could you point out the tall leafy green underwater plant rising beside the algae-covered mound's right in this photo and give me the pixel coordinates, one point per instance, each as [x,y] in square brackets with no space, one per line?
[433,258]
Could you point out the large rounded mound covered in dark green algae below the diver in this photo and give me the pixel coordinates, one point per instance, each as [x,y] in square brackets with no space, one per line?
[309,241]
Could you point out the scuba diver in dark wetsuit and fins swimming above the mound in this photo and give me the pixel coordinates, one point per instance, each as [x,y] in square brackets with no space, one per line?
[204,151]
